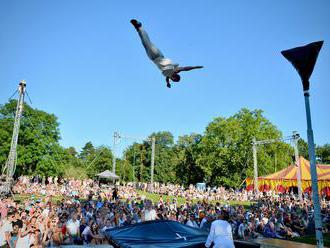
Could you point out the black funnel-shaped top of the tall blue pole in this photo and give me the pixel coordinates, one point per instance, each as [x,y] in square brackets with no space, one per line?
[303,59]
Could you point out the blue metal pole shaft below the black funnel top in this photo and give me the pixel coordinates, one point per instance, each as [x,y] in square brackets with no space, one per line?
[311,153]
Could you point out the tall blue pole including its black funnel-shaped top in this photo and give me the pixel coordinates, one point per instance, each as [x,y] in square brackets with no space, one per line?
[303,59]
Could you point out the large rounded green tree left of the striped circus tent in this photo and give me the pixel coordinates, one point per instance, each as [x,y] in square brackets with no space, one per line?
[226,149]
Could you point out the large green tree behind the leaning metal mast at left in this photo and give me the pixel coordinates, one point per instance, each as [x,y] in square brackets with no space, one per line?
[38,139]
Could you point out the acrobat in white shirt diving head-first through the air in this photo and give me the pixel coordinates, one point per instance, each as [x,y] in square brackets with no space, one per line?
[169,69]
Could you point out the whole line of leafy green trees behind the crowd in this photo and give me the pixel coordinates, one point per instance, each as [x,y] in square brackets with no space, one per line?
[222,155]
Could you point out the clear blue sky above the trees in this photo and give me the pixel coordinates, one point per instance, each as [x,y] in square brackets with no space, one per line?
[84,62]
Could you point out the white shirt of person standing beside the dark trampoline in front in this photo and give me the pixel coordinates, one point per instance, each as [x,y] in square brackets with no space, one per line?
[221,235]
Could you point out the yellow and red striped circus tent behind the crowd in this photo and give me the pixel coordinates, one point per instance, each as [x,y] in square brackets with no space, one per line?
[282,180]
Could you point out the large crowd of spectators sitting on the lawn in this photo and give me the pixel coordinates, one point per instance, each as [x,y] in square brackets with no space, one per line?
[70,211]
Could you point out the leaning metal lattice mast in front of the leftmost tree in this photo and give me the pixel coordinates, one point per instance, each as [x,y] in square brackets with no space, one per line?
[10,166]
